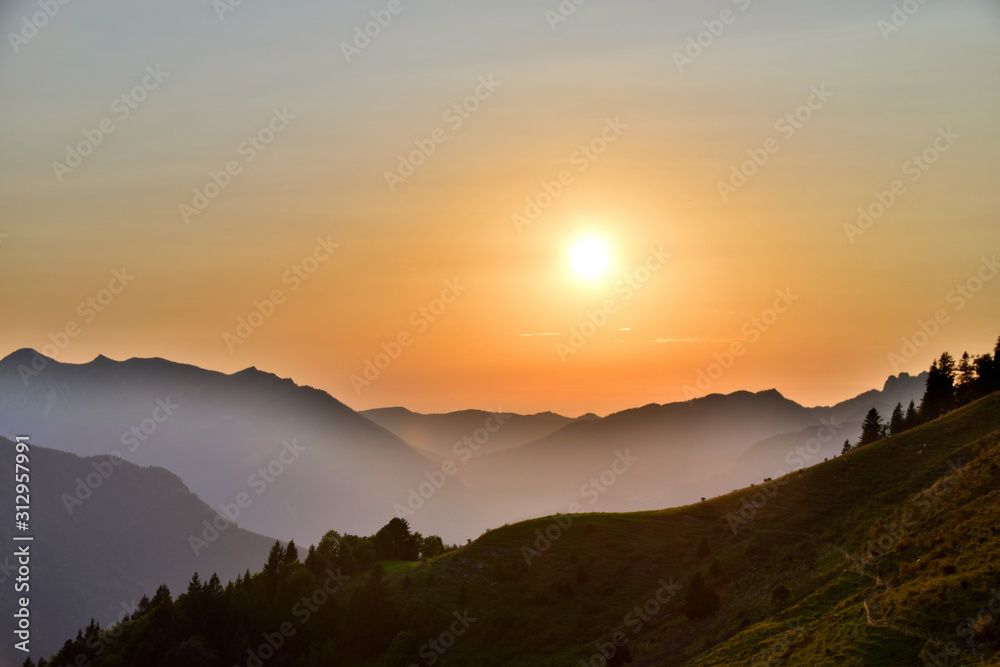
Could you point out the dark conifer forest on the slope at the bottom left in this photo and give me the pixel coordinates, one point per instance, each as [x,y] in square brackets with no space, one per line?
[286,614]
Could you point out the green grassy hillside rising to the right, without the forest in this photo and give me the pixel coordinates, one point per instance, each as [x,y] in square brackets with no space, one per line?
[909,527]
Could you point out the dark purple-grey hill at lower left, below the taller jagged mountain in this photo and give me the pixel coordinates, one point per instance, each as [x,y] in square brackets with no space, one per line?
[105,535]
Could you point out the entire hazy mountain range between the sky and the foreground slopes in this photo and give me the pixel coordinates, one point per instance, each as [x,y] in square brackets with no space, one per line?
[356,470]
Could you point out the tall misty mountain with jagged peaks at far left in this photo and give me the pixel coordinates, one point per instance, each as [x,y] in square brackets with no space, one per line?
[306,460]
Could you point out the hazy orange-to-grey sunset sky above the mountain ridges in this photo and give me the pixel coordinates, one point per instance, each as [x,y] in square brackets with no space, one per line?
[792,195]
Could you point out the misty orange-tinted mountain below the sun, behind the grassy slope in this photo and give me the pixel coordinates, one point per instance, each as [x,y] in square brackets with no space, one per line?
[685,450]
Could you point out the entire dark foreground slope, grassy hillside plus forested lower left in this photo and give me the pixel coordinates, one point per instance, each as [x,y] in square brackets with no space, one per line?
[884,556]
